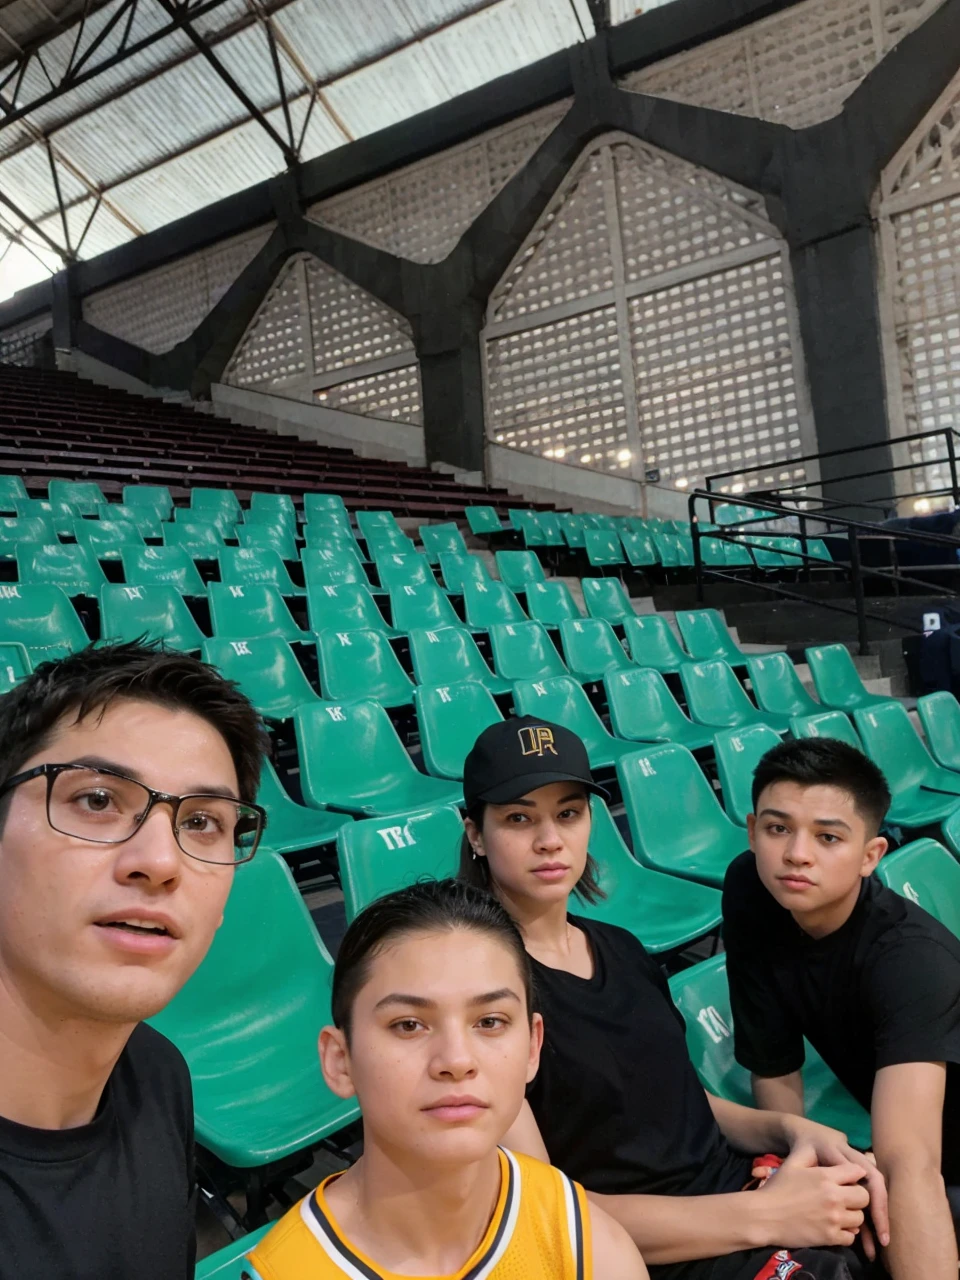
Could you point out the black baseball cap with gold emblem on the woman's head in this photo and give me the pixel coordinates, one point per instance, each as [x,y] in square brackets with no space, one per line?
[522,755]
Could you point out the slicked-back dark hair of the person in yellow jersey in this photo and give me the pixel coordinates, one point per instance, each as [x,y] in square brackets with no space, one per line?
[427,907]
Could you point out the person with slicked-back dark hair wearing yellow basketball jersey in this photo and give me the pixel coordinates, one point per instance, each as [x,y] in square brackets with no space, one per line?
[436,1034]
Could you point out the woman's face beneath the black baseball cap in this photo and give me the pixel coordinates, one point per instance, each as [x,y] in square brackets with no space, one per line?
[536,847]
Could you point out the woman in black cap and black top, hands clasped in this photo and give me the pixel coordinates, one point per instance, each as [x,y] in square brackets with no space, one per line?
[618,1104]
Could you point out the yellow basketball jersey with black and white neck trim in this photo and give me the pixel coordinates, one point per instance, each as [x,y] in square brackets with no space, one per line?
[541,1231]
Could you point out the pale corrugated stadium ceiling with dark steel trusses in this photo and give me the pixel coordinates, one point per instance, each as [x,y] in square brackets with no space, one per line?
[118,117]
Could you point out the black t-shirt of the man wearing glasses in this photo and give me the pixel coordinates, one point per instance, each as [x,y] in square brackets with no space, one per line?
[113,1200]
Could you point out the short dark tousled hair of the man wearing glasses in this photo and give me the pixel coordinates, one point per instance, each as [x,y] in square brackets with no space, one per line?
[89,682]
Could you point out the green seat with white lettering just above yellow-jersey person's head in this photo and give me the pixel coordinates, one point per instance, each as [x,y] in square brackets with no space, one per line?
[381,856]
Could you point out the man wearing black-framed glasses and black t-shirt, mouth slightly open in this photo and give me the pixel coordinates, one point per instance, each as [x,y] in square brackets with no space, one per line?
[127,787]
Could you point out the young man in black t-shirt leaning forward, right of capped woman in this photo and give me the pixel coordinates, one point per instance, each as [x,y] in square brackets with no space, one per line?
[819,948]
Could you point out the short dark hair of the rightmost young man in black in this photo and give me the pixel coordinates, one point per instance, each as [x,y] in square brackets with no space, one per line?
[826,762]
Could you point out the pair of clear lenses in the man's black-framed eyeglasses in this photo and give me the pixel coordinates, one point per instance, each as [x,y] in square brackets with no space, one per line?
[99,807]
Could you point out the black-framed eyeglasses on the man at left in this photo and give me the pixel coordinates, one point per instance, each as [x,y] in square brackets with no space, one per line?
[107,808]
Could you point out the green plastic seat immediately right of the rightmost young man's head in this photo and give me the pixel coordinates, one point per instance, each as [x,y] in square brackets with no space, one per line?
[924,792]
